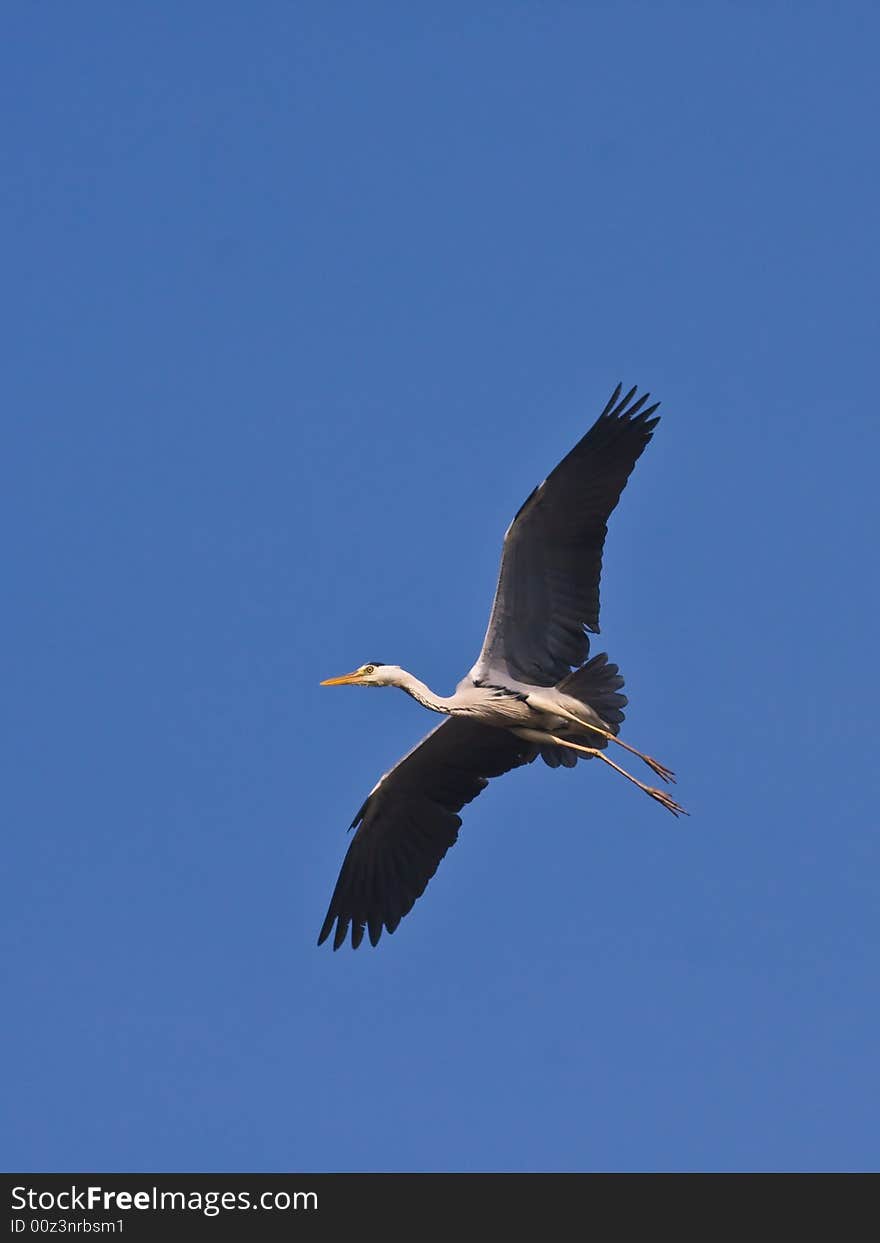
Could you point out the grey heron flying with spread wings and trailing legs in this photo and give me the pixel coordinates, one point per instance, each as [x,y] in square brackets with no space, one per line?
[533,692]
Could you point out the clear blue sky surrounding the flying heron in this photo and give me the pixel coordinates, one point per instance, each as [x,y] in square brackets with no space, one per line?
[301,300]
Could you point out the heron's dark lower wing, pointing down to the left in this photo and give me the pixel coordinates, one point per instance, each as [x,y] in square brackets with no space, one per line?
[410,822]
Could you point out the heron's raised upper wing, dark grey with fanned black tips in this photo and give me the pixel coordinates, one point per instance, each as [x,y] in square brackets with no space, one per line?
[549,585]
